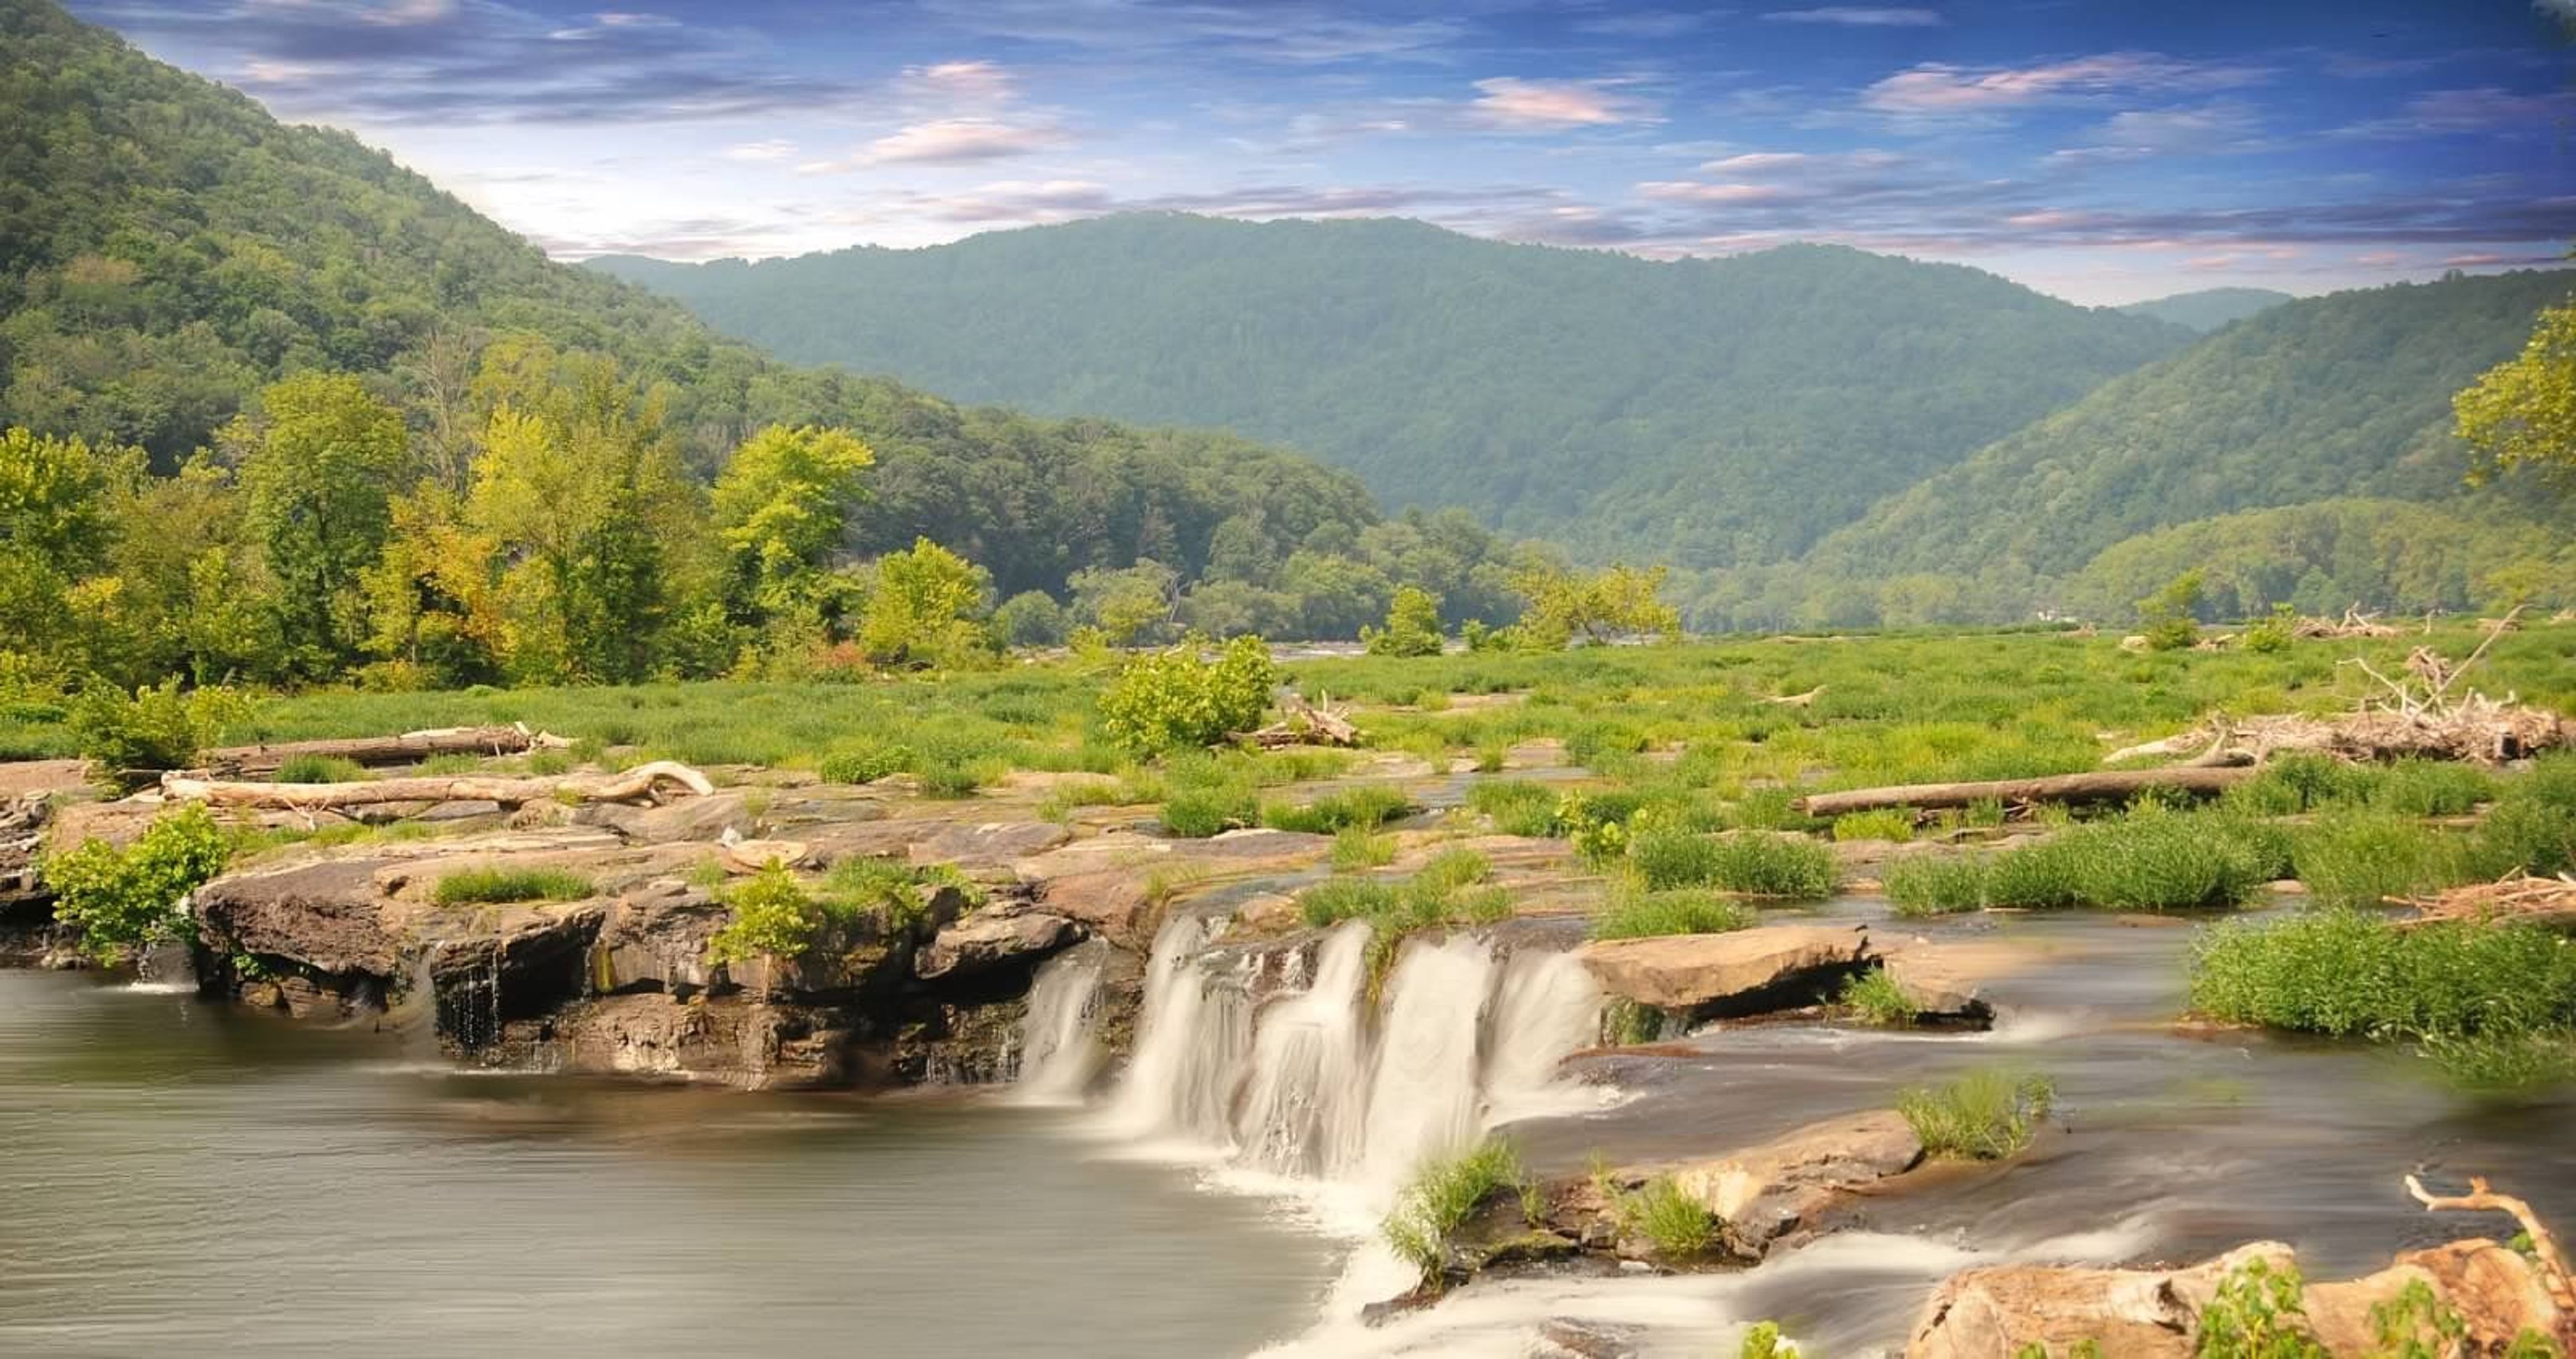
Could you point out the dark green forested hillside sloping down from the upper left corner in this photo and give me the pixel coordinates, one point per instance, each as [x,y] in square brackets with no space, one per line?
[169,248]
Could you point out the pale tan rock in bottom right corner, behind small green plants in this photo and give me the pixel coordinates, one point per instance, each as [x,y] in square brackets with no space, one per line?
[2155,1314]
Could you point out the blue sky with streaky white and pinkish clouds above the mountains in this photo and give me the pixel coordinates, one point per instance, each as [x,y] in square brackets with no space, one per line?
[2101,151]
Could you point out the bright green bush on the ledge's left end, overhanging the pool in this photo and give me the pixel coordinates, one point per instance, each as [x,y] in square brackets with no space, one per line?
[130,900]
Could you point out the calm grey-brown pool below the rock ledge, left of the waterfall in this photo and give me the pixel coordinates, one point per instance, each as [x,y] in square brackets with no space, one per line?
[189,1180]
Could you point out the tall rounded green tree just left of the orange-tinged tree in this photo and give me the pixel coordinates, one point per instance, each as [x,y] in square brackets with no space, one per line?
[321,470]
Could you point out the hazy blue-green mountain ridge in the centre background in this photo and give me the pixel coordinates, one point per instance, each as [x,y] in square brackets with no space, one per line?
[1696,411]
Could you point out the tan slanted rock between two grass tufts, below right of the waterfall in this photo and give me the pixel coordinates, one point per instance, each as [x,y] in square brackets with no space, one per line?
[1784,1185]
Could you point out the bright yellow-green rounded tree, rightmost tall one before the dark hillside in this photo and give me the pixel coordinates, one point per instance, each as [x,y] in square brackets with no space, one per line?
[782,506]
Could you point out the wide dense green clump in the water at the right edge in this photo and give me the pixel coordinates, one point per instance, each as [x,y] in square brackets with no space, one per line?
[2356,974]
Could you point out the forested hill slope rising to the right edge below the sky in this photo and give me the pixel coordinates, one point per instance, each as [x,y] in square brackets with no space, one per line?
[2315,400]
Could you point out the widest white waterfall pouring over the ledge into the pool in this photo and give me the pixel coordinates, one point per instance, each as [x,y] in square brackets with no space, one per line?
[1331,1090]
